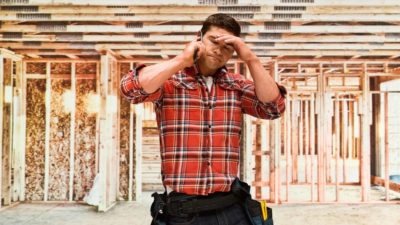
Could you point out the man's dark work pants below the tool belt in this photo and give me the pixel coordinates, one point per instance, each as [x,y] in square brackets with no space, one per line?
[232,215]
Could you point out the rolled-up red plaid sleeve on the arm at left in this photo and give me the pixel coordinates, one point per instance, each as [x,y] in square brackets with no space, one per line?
[132,90]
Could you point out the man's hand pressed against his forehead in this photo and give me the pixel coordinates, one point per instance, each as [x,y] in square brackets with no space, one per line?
[243,51]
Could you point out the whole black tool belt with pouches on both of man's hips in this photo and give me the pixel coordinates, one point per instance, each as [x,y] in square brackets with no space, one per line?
[178,204]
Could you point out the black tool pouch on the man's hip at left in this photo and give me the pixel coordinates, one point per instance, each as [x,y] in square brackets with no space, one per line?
[158,209]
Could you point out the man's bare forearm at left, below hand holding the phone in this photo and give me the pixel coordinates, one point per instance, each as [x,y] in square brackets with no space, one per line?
[152,77]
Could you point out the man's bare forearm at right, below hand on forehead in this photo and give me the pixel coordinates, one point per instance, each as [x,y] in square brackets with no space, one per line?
[266,88]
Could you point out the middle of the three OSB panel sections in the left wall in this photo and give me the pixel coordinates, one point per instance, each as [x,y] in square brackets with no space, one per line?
[60,123]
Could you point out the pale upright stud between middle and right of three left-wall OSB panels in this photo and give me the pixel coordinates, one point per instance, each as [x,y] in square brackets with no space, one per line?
[72,133]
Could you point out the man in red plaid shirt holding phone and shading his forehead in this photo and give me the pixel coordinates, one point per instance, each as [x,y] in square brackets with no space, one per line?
[199,107]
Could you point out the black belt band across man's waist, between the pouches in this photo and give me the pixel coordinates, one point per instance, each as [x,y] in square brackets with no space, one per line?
[185,204]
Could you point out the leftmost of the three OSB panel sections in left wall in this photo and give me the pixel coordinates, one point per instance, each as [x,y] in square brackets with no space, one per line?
[35,132]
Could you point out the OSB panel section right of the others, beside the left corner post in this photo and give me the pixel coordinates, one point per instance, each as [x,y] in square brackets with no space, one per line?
[85,140]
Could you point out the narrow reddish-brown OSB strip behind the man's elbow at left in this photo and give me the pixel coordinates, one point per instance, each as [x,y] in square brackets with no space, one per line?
[124,141]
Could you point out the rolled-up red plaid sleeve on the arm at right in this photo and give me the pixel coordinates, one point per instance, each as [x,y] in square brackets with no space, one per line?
[253,106]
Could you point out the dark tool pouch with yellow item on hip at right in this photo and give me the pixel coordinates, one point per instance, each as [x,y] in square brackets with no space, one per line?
[259,212]
